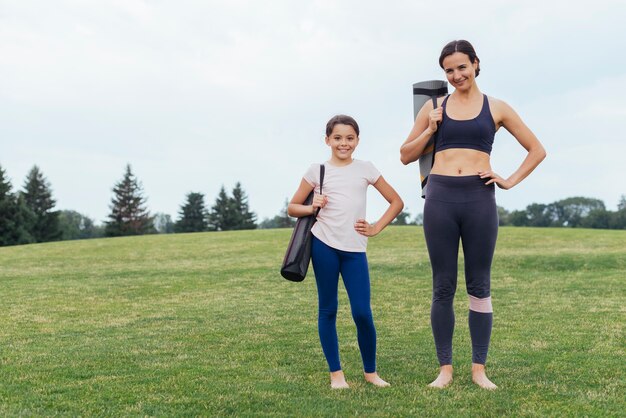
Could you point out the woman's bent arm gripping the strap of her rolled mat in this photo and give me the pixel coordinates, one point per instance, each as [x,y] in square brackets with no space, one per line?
[424,127]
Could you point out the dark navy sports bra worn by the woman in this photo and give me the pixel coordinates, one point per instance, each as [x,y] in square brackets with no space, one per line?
[477,133]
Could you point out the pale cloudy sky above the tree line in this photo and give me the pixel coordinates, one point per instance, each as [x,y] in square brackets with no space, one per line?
[196,95]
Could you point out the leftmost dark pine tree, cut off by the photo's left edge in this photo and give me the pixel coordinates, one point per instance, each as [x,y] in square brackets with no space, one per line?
[15,217]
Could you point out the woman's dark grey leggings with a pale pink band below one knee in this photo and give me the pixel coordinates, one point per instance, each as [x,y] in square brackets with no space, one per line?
[461,208]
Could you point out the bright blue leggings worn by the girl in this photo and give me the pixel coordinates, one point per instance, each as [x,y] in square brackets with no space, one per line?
[327,264]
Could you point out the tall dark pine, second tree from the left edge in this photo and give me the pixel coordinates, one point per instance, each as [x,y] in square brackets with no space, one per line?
[38,197]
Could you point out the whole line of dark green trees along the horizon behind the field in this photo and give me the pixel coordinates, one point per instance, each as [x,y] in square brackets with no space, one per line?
[28,215]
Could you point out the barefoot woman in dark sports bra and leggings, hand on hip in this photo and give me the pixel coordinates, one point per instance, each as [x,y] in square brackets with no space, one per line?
[460,199]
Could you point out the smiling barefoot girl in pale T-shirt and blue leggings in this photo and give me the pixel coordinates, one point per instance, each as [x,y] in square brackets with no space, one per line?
[340,239]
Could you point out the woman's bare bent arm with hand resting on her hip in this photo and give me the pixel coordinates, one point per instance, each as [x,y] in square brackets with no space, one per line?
[536,153]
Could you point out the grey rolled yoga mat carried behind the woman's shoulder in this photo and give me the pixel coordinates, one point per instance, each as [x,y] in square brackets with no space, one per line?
[422,92]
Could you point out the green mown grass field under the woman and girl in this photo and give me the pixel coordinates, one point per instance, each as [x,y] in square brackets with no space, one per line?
[203,324]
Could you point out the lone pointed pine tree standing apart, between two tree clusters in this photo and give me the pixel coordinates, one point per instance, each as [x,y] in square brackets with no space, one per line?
[129,215]
